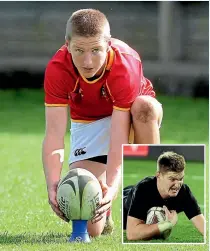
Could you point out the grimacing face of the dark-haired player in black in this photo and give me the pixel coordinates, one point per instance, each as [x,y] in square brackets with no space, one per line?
[170,183]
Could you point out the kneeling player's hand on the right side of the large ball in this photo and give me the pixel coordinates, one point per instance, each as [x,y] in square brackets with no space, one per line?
[108,195]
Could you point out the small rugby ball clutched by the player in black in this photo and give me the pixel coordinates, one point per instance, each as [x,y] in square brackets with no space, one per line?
[156,215]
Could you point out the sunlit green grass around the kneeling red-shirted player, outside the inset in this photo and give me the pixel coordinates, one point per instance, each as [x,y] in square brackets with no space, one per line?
[26,220]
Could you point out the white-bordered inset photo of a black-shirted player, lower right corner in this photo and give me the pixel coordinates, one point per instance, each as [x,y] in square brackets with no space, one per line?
[164,194]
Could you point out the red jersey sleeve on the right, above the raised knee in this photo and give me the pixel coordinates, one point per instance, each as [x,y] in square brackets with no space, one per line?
[127,82]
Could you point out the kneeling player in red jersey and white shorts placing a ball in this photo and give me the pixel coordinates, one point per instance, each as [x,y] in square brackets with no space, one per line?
[101,79]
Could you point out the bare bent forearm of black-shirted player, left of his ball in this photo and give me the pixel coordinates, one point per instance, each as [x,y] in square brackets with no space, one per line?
[138,230]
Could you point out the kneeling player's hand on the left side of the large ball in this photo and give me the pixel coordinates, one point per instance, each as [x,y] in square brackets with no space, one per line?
[52,192]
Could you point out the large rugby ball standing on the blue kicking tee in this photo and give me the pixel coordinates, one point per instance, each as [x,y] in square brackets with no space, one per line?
[79,194]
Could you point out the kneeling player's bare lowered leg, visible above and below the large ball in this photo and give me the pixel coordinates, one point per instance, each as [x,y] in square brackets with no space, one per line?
[99,170]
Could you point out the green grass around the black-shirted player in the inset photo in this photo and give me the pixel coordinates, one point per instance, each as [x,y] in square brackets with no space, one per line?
[184,231]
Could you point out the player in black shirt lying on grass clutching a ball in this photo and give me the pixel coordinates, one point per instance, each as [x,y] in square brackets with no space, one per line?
[166,190]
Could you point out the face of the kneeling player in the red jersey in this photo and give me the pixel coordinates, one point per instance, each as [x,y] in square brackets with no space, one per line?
[89,54]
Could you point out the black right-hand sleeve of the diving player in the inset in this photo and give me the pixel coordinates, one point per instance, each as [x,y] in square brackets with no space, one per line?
[190,207]
